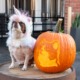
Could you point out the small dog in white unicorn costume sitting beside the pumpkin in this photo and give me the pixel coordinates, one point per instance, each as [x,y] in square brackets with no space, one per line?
[20,42]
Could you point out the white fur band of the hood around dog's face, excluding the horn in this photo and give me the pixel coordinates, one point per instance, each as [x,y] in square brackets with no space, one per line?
[24,19]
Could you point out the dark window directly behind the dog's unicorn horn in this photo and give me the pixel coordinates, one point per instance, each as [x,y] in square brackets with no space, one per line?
[20,4]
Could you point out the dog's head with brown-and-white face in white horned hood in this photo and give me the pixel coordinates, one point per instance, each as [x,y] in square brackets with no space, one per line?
[19,24]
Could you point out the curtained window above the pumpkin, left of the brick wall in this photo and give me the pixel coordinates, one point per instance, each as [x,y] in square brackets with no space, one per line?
[53,8]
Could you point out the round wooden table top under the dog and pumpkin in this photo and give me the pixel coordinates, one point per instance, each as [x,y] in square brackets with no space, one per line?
[34,74]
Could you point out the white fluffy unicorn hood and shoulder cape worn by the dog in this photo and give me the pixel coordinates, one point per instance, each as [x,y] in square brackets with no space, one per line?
[27,40]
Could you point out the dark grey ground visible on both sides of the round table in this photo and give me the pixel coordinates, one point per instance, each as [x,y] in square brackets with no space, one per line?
[4,57]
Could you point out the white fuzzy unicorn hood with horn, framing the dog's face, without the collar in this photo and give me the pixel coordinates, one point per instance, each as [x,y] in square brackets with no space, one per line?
[22,17]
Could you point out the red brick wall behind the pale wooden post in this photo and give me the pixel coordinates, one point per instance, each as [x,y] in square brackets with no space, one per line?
[75,4]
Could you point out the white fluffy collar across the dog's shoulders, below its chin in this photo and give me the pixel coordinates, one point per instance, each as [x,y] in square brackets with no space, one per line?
[26,41]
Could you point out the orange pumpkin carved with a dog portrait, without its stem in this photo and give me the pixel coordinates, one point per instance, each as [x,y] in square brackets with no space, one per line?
[54,52]
